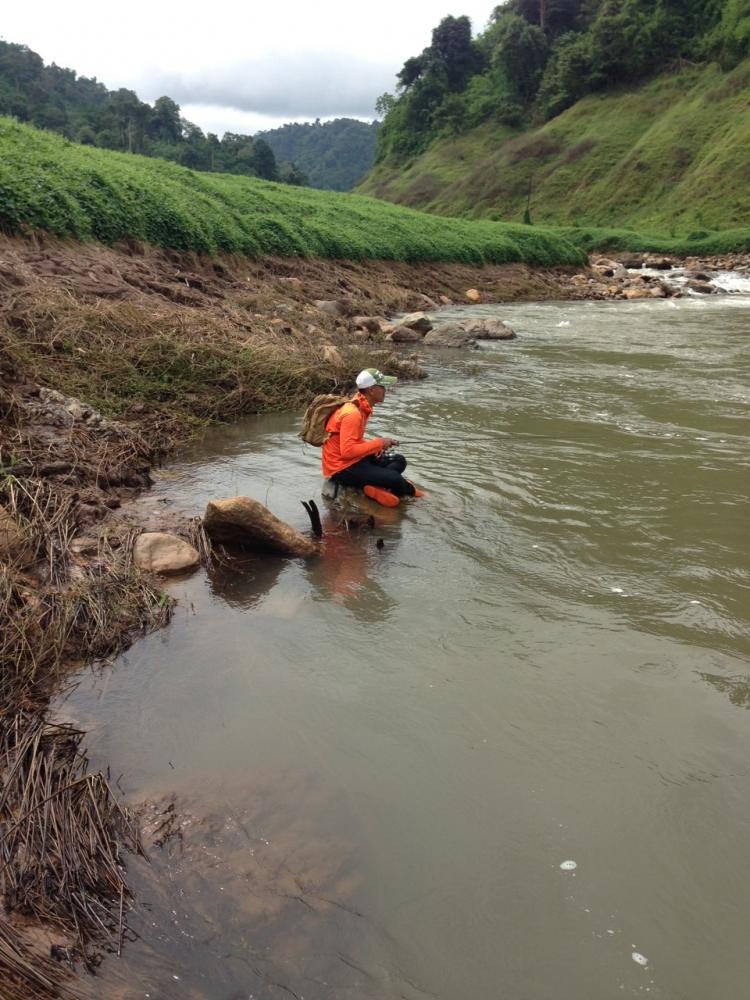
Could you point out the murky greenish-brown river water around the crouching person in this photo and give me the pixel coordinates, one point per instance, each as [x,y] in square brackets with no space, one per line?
[381,759]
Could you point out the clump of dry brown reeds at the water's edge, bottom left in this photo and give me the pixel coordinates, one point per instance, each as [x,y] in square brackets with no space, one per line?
[63,838]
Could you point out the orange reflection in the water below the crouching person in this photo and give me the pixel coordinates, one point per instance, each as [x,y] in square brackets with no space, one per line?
[350,560]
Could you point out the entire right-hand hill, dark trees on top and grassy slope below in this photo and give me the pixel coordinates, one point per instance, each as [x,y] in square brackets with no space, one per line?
[577,111]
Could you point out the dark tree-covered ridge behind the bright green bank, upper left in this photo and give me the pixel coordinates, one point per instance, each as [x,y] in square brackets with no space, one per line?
[84,111]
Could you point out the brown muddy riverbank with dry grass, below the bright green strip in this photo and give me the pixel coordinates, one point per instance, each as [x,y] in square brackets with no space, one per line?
[109,359]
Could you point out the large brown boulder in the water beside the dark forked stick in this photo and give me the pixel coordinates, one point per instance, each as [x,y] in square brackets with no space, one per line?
[246,523]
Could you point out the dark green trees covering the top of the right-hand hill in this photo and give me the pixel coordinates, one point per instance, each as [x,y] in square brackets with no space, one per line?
[536,58]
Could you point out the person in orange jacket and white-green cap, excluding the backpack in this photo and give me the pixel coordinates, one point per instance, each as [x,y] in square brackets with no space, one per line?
[350,460]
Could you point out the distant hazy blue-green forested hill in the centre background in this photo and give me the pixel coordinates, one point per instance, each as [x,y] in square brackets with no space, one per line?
[333,155]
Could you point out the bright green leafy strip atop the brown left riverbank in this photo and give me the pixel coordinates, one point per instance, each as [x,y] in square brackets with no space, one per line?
[50,184]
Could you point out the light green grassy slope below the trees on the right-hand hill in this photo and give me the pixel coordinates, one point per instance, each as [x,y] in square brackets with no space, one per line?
[669,156]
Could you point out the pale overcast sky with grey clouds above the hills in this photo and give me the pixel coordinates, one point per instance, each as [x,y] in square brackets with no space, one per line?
[238,66]
